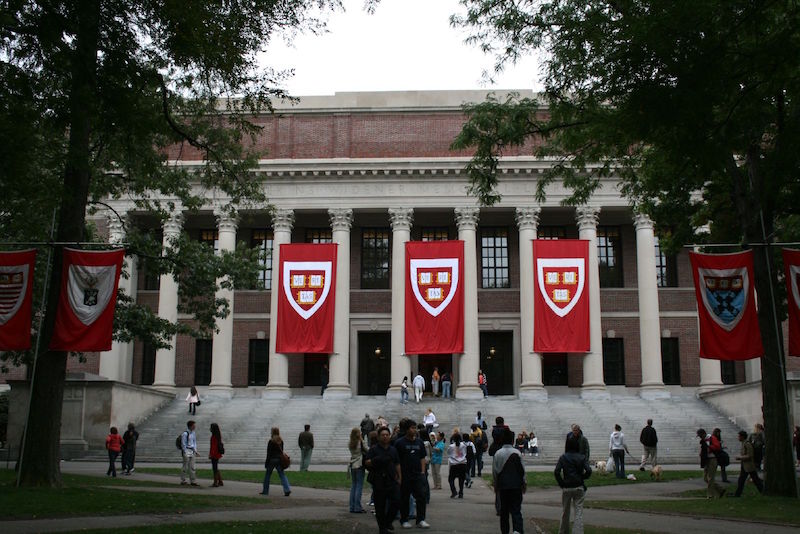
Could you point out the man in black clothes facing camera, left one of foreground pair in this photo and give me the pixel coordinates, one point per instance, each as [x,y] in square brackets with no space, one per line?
[383,464]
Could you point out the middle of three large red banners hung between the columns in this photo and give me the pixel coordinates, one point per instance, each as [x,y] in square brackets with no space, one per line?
[434,297]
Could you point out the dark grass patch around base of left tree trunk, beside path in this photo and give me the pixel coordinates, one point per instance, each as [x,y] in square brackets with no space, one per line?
[86,495]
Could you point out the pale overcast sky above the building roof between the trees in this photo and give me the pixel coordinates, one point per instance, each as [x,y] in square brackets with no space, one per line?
[404,45]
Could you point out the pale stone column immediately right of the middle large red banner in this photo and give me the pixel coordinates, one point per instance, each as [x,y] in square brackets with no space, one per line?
[469,362]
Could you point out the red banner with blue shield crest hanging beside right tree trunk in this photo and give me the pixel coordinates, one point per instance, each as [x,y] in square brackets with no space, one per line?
[726,306]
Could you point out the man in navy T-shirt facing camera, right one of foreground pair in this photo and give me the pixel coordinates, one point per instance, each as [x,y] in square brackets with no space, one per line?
[411,452]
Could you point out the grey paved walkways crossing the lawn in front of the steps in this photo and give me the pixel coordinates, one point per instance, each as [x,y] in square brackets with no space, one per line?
[474,513]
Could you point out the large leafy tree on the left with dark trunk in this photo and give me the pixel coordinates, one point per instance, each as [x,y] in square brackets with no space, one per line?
[93,93]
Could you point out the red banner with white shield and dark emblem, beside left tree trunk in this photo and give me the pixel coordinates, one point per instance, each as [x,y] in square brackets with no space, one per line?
[85,314]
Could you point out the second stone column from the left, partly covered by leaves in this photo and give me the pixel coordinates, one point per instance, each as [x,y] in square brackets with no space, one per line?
[168,307]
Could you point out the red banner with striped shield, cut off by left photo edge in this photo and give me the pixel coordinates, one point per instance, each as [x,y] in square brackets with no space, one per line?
[16,290]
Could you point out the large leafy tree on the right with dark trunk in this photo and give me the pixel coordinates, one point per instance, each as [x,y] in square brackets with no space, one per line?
[692,105]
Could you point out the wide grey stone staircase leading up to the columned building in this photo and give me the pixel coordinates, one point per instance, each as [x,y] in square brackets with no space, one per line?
[246,420]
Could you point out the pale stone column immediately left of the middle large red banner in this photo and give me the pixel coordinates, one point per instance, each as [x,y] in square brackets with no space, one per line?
[401,219]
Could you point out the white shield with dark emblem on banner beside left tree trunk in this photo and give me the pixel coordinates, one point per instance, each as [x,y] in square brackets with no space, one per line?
[89,290]
